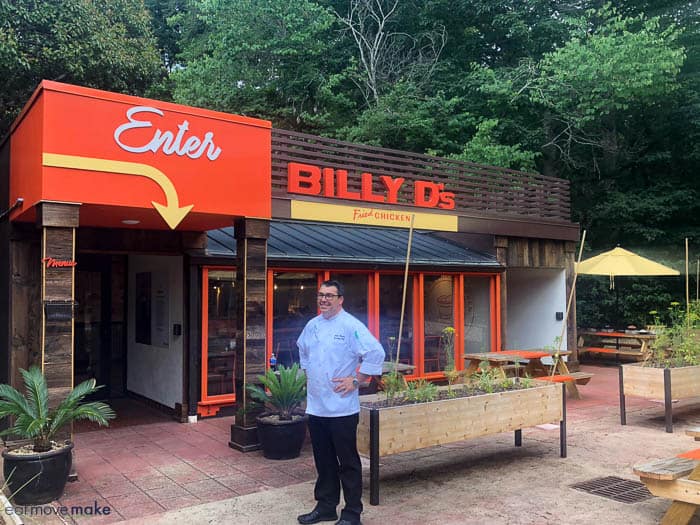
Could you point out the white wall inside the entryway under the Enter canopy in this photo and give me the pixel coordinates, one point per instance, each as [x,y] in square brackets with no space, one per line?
[155,370]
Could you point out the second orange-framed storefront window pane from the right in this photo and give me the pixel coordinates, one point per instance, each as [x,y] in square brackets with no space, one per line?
[439,314]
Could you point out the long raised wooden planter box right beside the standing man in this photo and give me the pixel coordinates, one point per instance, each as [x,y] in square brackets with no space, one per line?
[385,431]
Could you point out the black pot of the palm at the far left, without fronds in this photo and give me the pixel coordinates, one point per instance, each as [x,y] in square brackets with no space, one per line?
[48,472]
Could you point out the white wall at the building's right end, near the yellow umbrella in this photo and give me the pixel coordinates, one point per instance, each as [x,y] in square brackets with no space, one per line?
[534,297]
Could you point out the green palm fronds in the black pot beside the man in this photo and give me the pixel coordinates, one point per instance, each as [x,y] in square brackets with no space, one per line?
[286,387]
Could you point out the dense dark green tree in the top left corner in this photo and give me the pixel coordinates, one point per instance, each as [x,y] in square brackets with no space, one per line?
[104,44]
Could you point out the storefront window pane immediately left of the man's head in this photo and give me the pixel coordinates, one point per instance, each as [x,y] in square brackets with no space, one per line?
[294,303]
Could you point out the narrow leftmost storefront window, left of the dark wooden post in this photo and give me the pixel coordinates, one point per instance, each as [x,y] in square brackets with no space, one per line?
[221,325]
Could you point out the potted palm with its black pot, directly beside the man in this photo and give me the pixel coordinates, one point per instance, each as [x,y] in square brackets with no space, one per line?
[282,426]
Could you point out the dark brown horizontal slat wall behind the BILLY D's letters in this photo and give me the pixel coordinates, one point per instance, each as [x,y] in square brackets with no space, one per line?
[485,189]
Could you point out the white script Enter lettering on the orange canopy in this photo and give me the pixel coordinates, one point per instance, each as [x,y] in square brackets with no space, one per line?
[170,142]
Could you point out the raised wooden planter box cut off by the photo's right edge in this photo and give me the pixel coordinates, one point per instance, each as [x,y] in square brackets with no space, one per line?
[658,383]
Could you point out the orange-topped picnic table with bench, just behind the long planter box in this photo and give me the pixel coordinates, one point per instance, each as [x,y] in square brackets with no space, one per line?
[532,365]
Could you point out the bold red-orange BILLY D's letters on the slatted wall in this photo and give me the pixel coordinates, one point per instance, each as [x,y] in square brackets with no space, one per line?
[307,179]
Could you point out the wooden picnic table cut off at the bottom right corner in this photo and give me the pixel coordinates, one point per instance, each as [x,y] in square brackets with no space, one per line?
[677,479]
